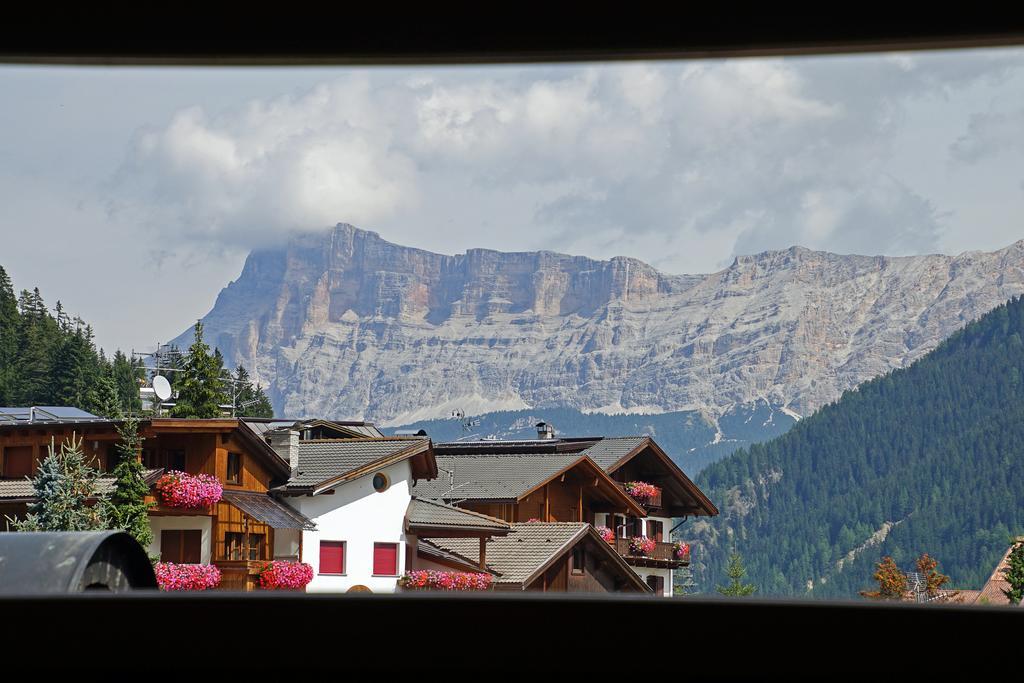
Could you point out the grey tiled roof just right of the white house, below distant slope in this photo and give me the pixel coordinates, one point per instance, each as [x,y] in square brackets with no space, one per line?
[494,477]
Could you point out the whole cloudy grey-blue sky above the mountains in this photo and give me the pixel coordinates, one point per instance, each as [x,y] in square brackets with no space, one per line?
[134,195]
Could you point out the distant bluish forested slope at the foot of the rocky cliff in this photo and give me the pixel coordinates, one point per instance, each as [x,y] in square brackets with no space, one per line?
[687,437]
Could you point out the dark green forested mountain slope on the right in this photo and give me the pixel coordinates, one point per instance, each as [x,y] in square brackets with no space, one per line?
[925,459]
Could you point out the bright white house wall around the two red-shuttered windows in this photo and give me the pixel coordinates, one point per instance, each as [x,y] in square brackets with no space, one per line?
[360,517]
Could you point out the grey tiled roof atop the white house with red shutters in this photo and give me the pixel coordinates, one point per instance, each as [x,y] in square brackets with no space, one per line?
[322,461]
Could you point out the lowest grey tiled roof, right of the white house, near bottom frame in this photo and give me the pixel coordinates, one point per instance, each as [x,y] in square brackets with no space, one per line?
[520,556]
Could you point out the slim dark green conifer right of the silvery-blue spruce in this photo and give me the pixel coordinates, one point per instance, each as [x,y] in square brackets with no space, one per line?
[126,507]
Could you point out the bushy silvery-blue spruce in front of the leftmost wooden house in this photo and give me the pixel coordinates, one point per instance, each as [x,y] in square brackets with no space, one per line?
[64,487]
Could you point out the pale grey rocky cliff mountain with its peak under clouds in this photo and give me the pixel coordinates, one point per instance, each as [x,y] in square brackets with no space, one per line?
[348,325]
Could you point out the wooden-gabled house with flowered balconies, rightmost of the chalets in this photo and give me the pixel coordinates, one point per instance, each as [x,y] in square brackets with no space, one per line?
[580,480]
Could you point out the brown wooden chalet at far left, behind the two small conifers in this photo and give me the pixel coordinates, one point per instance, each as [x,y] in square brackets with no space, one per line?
[238,533]
